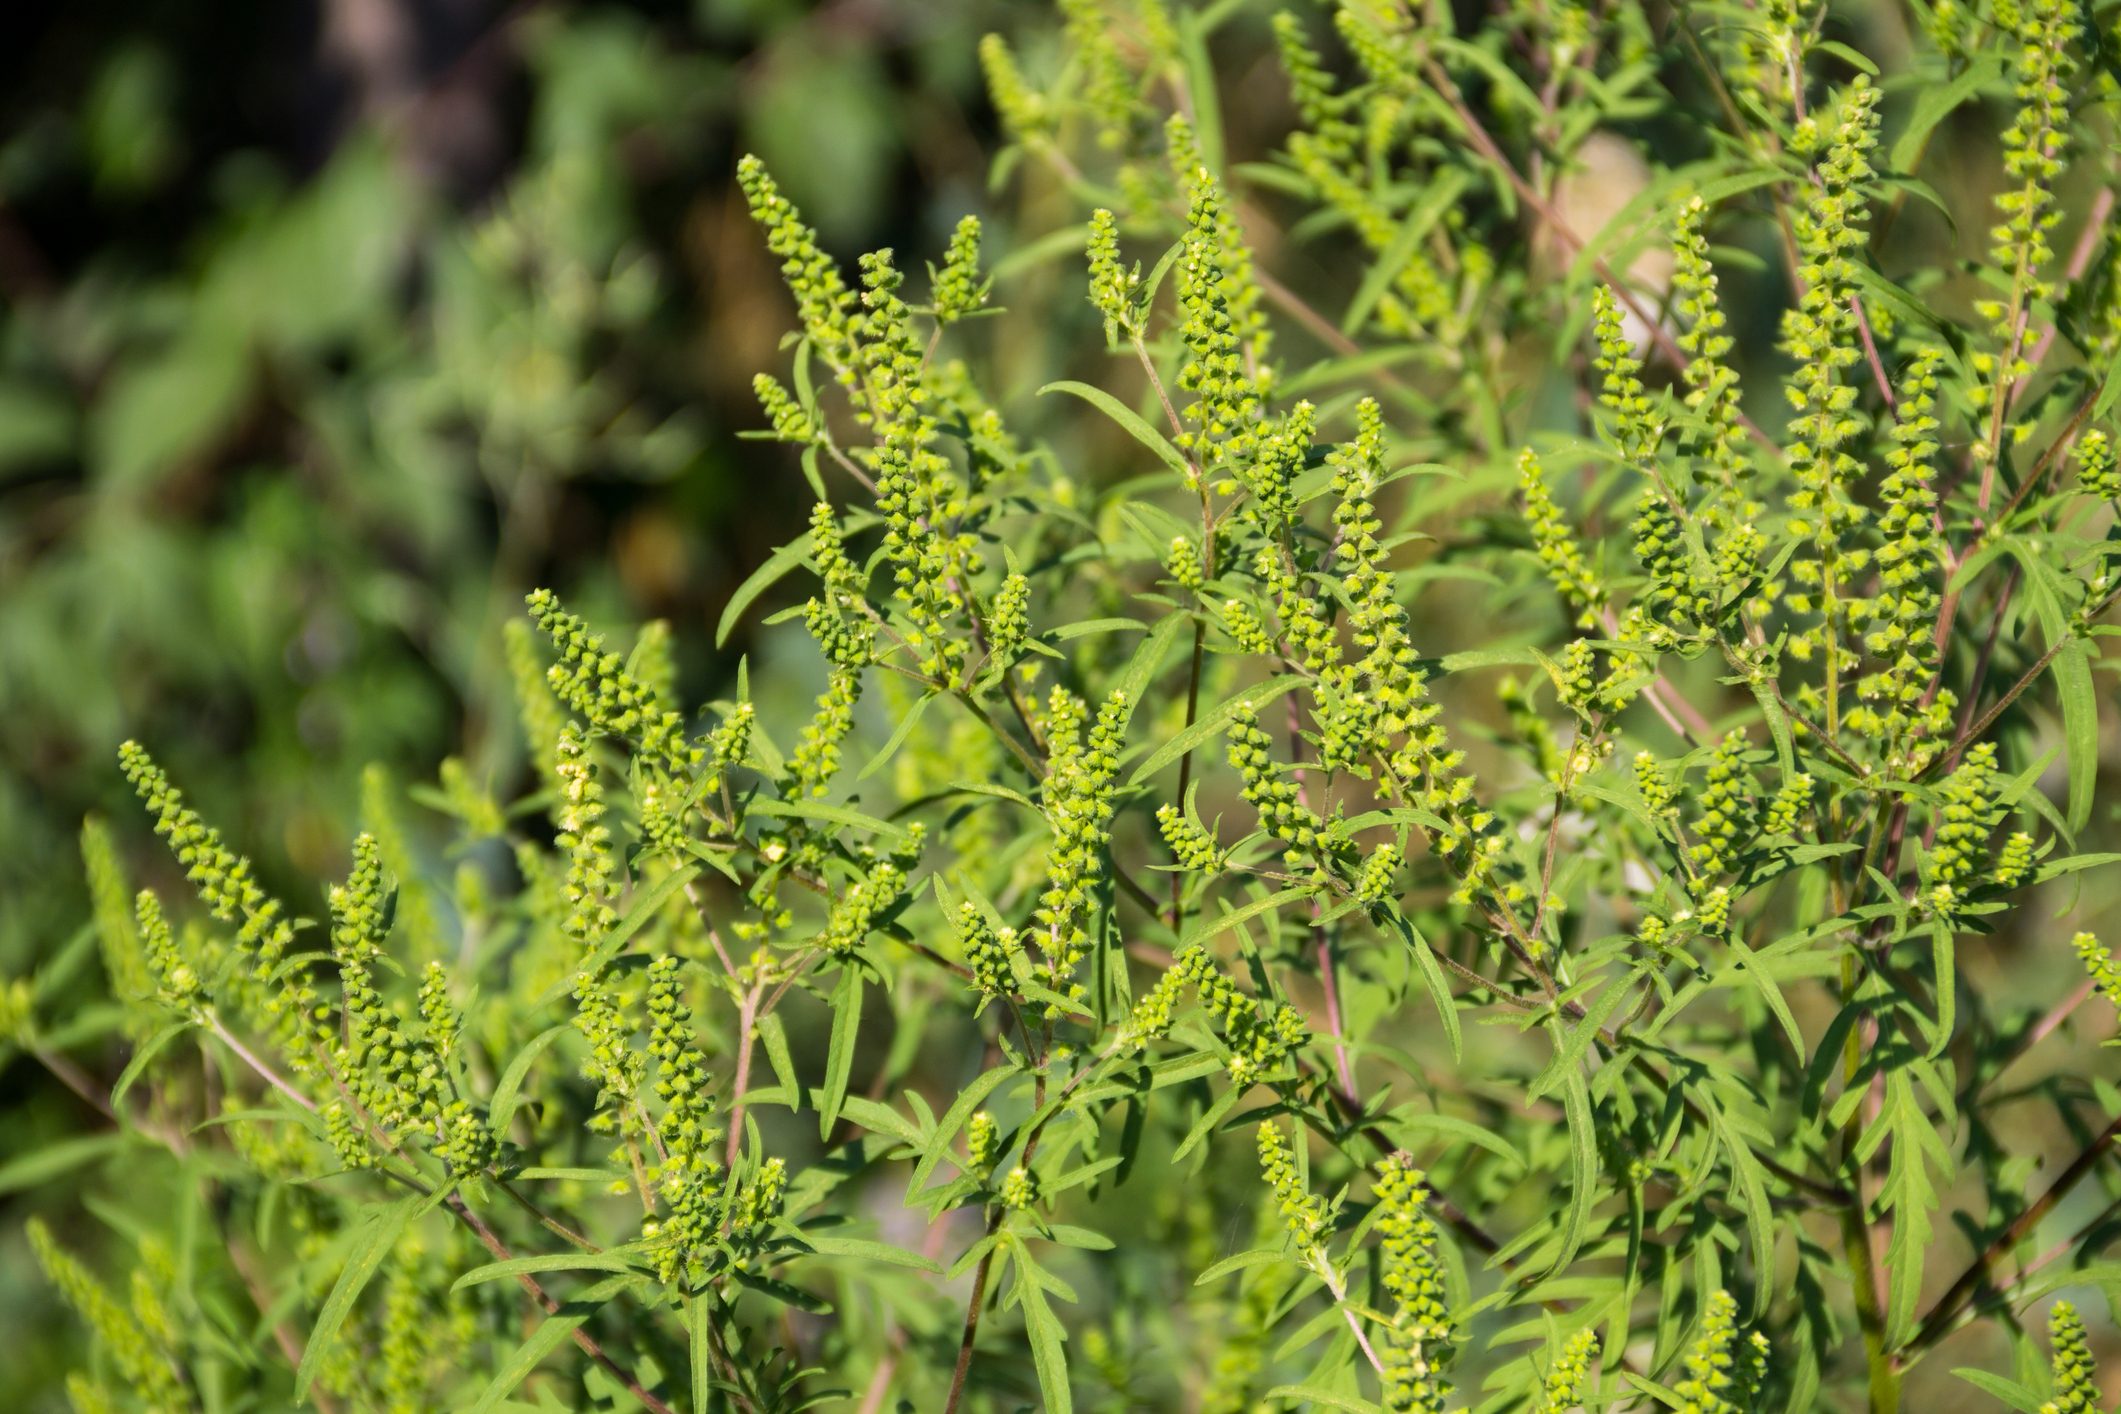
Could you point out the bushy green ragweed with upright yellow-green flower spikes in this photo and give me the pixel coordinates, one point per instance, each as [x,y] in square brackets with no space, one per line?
[1630,1031]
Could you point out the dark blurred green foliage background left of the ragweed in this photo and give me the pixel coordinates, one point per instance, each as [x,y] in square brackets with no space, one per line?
[334,328]
